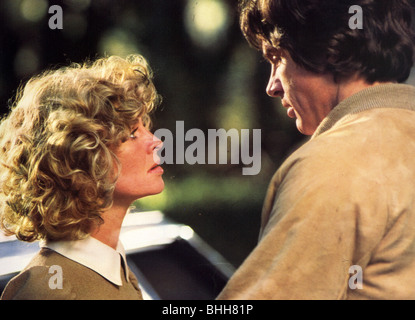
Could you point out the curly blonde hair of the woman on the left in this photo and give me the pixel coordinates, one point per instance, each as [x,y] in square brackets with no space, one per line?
[57,163]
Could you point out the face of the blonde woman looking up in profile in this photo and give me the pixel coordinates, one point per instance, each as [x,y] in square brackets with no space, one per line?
[140,173]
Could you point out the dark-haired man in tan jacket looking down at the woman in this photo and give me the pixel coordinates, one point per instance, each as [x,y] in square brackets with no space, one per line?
[339,217]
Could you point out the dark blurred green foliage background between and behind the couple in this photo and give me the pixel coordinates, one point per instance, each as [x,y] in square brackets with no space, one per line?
[207,74]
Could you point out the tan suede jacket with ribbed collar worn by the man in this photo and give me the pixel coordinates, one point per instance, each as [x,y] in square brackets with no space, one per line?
[345,198]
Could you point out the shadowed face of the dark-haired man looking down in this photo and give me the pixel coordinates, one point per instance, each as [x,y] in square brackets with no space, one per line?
[308,97]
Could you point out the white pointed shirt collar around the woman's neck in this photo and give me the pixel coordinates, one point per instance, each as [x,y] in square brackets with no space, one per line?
[94,255]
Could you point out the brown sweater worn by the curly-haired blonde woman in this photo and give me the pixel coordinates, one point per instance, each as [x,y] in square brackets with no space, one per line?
[79,282]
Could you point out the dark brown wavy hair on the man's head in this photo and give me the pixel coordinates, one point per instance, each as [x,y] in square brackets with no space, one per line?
[317,35]
